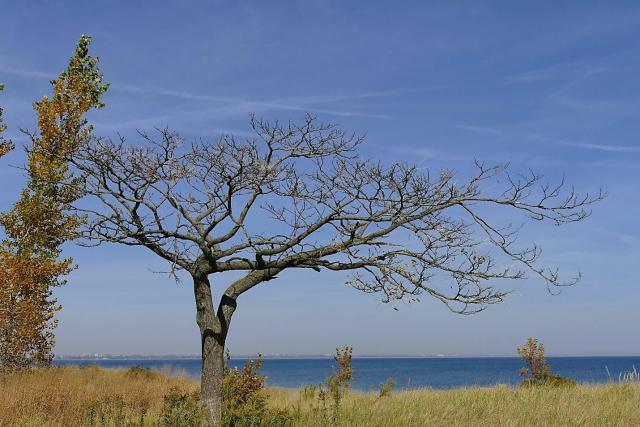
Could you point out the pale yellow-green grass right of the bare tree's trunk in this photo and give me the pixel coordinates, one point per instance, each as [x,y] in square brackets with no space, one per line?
[597,405]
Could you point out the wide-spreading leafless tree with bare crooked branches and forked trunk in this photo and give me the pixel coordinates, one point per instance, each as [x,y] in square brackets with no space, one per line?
[298,196]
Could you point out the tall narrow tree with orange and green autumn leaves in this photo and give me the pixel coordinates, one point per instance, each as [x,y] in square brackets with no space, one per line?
[39,223]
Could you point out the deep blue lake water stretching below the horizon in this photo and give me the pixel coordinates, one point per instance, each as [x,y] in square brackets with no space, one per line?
[439,373]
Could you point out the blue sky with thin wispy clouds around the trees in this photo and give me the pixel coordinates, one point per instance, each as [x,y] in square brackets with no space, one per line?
[548,86]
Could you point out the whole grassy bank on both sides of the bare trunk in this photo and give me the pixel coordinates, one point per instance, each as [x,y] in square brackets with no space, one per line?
[74,397]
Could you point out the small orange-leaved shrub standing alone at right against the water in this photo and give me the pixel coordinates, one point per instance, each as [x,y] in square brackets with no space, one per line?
[536,370]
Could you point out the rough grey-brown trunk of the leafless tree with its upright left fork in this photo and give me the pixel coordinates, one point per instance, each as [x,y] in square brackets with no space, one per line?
[212,338]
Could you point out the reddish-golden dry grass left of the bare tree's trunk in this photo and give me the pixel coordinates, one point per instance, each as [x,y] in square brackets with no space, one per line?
[64,396]
